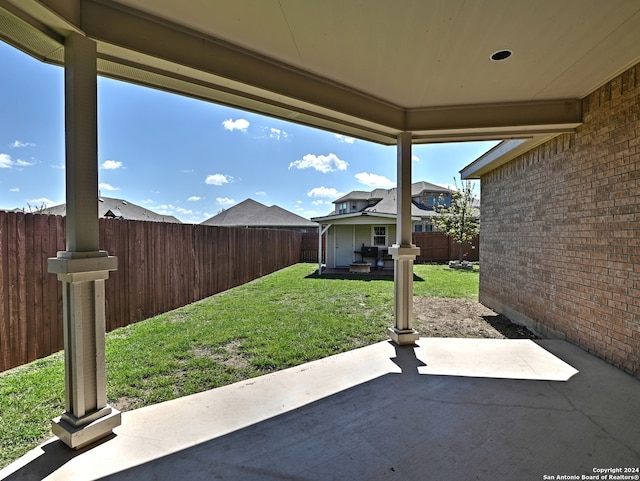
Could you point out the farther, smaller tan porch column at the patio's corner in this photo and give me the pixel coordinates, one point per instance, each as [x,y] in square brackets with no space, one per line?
[404,252]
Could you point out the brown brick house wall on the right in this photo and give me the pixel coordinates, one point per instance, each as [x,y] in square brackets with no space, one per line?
[560,239]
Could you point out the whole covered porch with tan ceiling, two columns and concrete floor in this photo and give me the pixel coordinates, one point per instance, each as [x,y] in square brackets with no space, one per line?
[396,74]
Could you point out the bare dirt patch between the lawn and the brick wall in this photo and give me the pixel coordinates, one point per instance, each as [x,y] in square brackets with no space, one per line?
[446,317]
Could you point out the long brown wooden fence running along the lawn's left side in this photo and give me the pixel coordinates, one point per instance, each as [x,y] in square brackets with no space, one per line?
[161,266]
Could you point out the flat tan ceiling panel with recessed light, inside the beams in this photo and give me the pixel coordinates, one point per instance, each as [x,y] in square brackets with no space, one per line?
[430,53]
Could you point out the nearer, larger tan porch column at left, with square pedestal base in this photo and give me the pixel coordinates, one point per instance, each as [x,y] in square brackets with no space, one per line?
[83,268]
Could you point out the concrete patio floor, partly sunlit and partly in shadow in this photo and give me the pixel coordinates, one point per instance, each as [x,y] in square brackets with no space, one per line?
[446,409]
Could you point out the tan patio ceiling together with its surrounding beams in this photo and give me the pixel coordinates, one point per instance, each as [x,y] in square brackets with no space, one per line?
[369,69]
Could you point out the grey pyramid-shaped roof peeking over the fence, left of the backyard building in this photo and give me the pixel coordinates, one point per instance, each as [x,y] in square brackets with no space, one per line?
[250,213]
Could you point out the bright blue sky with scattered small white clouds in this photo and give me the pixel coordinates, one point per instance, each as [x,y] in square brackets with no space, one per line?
[188,158]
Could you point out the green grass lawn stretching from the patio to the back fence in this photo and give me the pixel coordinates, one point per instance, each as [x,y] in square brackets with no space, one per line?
[281,320]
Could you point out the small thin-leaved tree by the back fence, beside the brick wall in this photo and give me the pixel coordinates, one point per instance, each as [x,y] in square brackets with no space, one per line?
[458,219]
